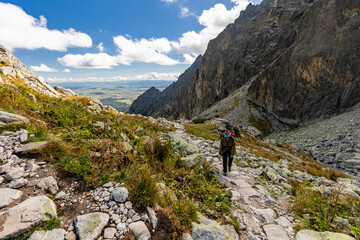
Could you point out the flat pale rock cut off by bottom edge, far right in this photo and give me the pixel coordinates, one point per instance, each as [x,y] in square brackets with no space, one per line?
[313,235]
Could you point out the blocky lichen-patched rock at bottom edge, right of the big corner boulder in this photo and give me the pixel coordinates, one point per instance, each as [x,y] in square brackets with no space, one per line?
[90,226]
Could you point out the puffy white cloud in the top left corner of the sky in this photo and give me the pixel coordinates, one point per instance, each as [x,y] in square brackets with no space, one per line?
[20,30]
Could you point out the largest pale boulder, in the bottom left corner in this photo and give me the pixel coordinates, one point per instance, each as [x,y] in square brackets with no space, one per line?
[21,218]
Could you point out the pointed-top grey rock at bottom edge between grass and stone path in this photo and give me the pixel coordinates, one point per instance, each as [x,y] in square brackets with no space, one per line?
[207,229]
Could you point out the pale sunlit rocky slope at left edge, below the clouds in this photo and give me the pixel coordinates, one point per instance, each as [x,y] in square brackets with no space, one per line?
[12,67]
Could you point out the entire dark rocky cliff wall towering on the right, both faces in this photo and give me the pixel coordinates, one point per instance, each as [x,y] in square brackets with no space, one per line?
[300,54]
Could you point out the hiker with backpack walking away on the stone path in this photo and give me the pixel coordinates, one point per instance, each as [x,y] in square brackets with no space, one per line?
[227,150]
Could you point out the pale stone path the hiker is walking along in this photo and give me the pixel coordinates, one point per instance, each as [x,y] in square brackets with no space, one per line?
[259,189]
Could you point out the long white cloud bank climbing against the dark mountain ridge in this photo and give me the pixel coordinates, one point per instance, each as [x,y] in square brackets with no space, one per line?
[157,50]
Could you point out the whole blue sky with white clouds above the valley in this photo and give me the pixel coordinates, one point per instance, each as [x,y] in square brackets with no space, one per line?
[112,39]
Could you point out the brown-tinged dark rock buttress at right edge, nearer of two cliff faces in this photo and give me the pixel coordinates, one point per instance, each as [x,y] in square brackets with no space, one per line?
[318,76]
